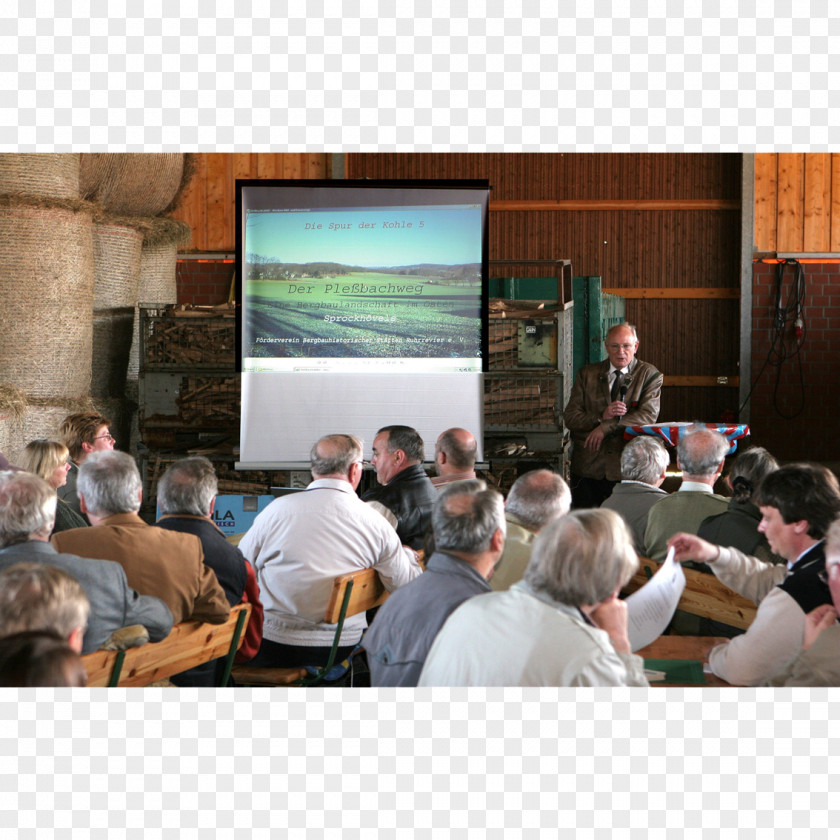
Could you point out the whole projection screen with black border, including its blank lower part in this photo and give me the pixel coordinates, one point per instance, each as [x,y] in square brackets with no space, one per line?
[361,304]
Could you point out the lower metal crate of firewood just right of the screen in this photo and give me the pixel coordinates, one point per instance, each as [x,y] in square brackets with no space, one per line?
[528,402]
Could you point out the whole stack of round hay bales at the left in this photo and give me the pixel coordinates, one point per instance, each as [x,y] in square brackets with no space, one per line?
[82,240]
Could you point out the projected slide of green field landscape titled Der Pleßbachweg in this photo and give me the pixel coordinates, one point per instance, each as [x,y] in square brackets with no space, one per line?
[366,283]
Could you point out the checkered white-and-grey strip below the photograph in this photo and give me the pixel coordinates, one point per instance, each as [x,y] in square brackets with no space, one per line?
[352,763]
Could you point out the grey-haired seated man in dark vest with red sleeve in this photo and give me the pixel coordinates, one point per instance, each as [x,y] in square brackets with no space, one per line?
[186,496]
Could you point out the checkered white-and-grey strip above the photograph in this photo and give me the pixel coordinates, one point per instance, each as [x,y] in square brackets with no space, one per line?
[425,76]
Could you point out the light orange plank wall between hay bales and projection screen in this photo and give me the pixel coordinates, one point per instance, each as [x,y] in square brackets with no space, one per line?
[208,204]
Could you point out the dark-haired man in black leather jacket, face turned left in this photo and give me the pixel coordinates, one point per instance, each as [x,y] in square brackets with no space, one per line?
[405,488]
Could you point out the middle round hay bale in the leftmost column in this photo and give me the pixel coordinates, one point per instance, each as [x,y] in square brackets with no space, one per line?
[46,285]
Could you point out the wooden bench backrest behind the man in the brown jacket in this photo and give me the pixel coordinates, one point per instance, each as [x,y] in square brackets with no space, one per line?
[189,644]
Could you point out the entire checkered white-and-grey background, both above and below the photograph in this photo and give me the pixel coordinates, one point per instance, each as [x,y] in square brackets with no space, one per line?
[432,76]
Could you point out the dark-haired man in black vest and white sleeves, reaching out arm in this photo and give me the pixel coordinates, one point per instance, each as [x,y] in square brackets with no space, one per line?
[798,502]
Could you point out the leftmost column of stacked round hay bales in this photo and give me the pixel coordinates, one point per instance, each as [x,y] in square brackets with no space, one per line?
[47,287]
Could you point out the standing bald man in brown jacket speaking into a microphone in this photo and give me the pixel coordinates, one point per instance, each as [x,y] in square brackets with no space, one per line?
[607,397]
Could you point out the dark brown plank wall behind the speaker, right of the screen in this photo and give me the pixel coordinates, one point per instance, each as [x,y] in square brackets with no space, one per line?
[678,265]
